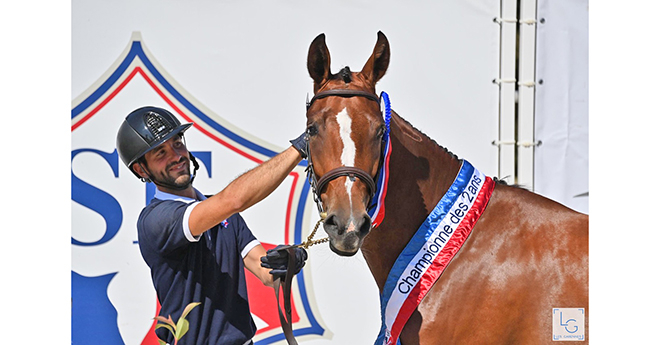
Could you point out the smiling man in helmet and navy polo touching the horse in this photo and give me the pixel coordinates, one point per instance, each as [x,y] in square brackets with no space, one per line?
[197,247]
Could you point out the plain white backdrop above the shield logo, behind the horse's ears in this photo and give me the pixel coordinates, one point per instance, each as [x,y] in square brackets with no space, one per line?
[247,60]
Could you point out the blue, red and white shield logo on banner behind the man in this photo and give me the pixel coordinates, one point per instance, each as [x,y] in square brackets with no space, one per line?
[113,299]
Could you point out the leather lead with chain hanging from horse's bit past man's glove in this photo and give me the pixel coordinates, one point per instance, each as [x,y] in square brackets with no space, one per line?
[285,318]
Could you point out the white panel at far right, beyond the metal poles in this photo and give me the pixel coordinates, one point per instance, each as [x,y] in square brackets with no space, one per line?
[561,165]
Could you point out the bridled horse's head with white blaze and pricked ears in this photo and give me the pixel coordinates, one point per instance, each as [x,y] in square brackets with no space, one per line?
[345,128]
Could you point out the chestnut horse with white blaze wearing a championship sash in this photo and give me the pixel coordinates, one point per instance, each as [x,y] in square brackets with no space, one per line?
[524,256]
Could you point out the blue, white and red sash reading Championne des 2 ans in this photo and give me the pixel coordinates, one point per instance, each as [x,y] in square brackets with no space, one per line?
[431,249]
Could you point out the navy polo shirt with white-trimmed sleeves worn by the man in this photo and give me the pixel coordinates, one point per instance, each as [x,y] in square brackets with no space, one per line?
[207,269]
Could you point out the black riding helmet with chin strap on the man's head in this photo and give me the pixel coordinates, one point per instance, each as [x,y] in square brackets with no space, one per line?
[143,130]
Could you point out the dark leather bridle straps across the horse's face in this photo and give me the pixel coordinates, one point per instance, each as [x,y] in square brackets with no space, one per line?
[350,172]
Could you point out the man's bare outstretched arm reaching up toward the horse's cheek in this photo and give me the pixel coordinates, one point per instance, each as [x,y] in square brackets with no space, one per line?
[245,191]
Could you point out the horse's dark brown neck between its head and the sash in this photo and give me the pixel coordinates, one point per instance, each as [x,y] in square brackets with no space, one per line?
[420,173]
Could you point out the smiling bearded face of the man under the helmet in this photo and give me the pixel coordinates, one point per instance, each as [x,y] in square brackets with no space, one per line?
[169,162]
